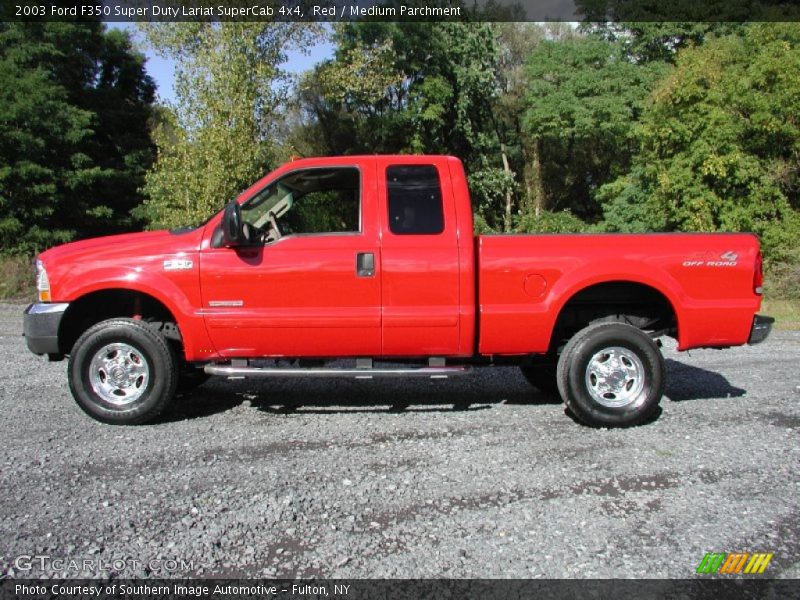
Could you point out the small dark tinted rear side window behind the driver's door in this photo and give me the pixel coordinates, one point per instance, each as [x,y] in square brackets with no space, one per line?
[415,200]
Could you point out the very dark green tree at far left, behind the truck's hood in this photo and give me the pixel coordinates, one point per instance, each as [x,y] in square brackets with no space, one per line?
[74,144]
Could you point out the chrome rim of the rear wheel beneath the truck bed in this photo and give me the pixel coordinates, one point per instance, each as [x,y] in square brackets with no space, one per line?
[615,378]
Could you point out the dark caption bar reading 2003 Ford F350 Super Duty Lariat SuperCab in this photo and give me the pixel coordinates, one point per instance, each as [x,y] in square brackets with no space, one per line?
[629,11]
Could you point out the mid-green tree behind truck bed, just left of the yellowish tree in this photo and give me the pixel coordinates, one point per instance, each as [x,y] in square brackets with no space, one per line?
[584,96]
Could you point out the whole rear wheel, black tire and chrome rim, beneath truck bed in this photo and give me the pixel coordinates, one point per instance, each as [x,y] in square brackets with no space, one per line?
[611,375]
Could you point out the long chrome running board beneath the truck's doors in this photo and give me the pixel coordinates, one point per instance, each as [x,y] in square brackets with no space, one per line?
[357,373]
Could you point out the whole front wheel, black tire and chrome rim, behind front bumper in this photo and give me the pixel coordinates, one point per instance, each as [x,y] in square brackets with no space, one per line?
[122,371]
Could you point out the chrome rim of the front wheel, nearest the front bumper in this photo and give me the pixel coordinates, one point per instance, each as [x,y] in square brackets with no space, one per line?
[119,374]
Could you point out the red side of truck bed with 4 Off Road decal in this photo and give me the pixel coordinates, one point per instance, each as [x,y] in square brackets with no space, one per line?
[524,282]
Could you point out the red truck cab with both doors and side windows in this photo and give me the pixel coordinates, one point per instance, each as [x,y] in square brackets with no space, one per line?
[357,257]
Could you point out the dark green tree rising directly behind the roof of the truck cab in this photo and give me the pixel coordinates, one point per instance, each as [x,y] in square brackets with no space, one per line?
[418,88]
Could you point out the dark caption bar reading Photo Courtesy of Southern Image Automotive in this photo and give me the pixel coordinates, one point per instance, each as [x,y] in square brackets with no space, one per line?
[701,587]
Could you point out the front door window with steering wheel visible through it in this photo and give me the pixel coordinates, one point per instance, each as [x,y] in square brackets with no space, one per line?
[326,200]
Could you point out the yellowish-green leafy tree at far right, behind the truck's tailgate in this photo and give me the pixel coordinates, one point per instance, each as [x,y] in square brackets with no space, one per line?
[719,144]
